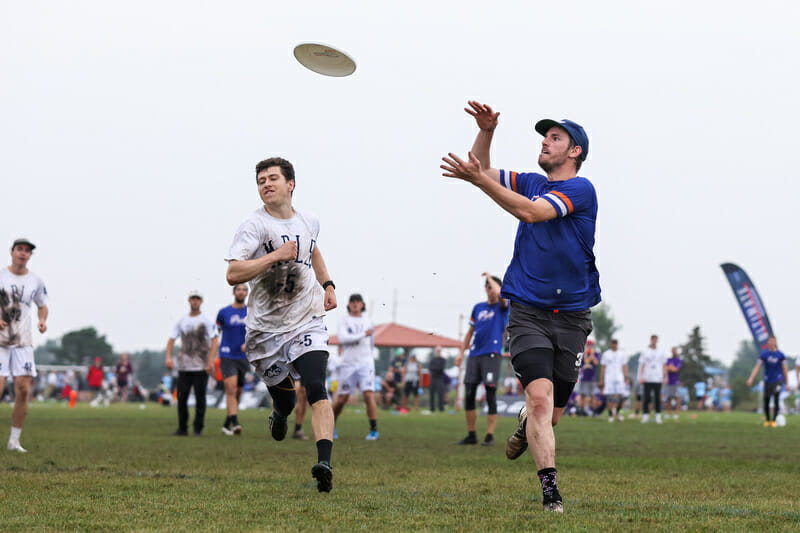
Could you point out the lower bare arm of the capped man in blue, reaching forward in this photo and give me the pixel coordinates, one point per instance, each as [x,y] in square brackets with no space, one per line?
[524,209]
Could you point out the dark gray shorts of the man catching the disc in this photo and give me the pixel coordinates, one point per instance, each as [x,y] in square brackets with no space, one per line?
[563,333]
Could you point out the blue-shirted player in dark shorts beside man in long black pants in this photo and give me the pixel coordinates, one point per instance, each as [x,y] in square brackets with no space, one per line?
[233,363]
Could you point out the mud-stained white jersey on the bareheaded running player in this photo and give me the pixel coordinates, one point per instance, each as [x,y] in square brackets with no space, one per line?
[287,295]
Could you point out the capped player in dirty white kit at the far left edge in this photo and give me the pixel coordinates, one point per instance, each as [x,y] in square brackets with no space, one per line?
[19,288]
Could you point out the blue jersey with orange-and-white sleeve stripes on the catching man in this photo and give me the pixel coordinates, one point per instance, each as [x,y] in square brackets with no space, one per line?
[553,266]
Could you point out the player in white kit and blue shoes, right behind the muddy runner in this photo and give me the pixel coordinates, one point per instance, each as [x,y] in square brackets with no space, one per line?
[356,364]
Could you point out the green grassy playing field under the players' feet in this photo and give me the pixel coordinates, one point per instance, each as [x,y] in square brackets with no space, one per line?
[118,468]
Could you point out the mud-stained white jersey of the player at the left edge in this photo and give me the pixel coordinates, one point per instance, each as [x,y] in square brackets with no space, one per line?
[17,294]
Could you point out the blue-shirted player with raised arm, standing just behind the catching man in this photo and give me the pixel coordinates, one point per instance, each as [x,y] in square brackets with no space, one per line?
[487,322]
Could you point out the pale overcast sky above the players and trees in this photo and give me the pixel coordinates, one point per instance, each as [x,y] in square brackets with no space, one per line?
[130,132]
